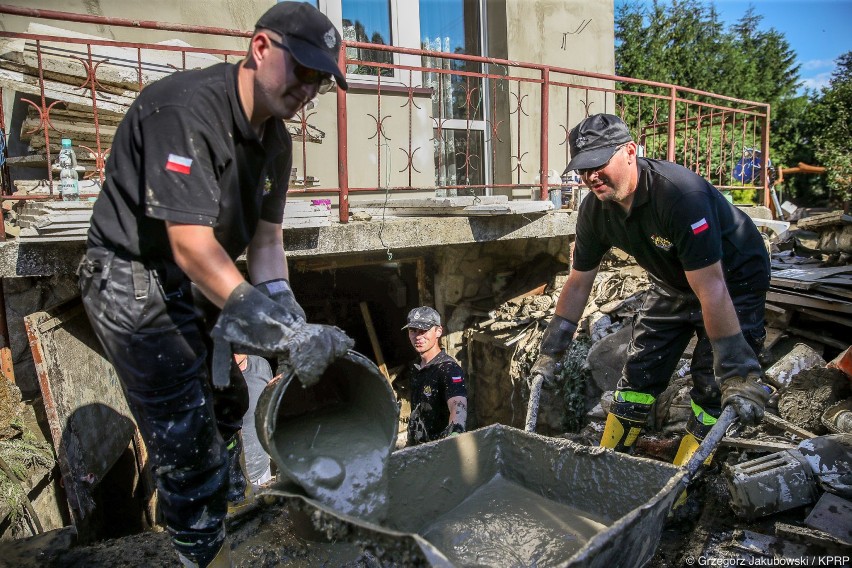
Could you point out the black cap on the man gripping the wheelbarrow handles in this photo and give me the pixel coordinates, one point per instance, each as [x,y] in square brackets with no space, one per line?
[594,141]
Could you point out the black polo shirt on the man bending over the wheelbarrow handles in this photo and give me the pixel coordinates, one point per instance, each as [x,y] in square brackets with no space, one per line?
[677,222]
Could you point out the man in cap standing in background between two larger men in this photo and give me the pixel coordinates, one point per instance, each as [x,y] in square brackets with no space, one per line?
[438,391]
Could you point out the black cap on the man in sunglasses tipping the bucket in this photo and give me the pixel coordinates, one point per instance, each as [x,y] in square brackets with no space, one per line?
[308,34]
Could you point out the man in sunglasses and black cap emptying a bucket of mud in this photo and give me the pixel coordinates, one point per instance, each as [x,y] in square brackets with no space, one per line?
[198,175]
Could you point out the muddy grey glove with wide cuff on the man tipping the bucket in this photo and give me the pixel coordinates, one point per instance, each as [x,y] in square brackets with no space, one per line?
[255,324]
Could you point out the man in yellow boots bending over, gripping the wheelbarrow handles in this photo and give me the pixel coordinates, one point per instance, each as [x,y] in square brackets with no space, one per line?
[709,273]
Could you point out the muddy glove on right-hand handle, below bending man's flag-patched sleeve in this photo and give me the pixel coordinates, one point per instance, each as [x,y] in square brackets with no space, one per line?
[739,373]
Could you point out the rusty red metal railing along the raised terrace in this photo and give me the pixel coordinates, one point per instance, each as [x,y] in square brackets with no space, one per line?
[413,119]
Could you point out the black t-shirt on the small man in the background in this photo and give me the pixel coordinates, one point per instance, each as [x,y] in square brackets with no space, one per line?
[432,385]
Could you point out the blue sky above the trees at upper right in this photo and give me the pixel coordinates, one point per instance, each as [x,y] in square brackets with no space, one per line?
[818,31]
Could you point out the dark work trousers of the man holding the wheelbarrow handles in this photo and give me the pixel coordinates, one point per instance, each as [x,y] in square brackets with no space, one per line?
[665,324]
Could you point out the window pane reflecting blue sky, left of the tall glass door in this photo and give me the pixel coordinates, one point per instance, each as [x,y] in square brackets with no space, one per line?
[367,21]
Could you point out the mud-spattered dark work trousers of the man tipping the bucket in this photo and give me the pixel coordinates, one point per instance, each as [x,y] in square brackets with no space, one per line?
[157,339]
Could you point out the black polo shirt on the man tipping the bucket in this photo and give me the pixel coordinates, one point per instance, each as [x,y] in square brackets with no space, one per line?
[186,153]
